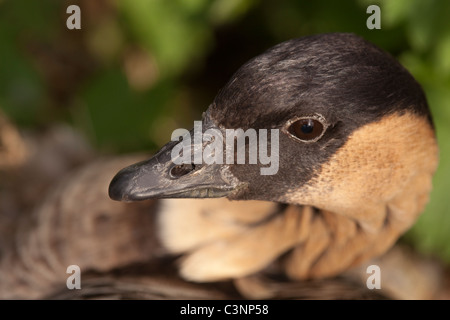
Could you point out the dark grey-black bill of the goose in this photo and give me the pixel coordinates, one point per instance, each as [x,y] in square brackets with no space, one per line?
[160,177]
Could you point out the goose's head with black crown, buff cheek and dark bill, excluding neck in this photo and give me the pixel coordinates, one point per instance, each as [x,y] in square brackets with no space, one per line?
[355,135]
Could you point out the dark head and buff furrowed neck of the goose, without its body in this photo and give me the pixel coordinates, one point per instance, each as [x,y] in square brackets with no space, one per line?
[357,153]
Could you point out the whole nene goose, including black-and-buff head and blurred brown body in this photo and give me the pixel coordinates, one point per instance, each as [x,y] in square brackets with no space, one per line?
[357,154]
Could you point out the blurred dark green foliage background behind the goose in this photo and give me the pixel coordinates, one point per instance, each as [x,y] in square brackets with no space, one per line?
[138,69]
